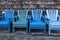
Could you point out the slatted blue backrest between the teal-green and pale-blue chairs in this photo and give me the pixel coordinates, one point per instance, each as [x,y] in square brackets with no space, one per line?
[36,14]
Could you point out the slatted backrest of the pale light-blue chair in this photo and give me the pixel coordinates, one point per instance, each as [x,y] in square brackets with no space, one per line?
[52,14]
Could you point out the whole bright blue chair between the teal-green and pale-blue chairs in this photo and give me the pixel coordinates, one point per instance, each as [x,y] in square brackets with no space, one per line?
[37,20]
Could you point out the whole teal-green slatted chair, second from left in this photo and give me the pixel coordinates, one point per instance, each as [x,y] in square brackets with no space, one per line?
[20,20]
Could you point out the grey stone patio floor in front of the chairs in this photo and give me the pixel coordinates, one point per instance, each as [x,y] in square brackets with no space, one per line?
[22,35]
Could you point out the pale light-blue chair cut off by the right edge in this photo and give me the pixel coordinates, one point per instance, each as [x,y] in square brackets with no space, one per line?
[54,23]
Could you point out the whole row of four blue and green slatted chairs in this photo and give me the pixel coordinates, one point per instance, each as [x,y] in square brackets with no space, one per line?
[36,20]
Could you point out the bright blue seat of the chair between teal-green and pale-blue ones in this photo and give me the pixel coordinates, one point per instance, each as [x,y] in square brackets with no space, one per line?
[37,25]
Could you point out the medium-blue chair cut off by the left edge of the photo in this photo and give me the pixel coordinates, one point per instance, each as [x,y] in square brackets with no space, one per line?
[5,23]
